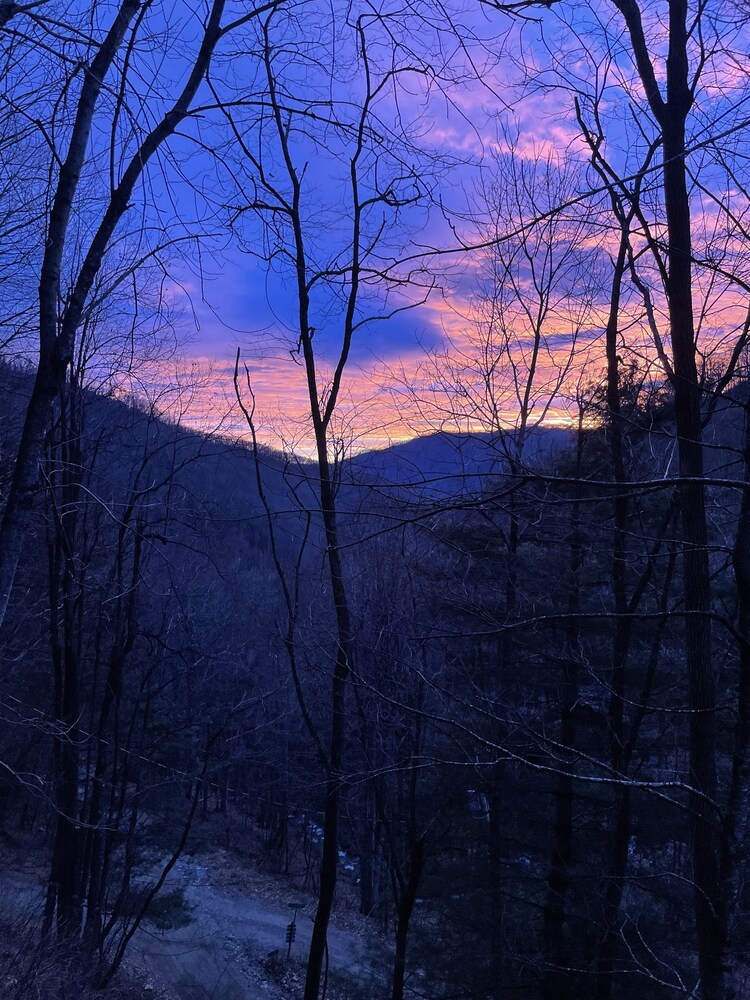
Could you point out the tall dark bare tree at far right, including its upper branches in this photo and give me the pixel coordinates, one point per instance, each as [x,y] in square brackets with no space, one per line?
[672,71]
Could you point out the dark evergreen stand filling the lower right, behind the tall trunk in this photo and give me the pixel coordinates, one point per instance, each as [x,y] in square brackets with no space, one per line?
[539,767]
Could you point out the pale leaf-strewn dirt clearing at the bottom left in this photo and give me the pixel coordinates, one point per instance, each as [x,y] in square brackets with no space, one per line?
[227,942]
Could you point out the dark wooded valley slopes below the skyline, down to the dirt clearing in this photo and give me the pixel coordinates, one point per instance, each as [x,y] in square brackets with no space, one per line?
[515,801]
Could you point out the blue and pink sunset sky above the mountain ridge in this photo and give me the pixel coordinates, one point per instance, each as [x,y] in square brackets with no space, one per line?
[470,133]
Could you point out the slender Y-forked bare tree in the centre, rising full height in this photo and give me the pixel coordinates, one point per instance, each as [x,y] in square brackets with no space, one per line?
[338,292]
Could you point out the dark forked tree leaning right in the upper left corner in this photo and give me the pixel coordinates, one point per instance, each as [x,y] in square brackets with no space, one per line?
[102,71]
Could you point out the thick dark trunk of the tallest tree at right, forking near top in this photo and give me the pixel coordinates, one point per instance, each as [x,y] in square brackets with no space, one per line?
[671,113]
